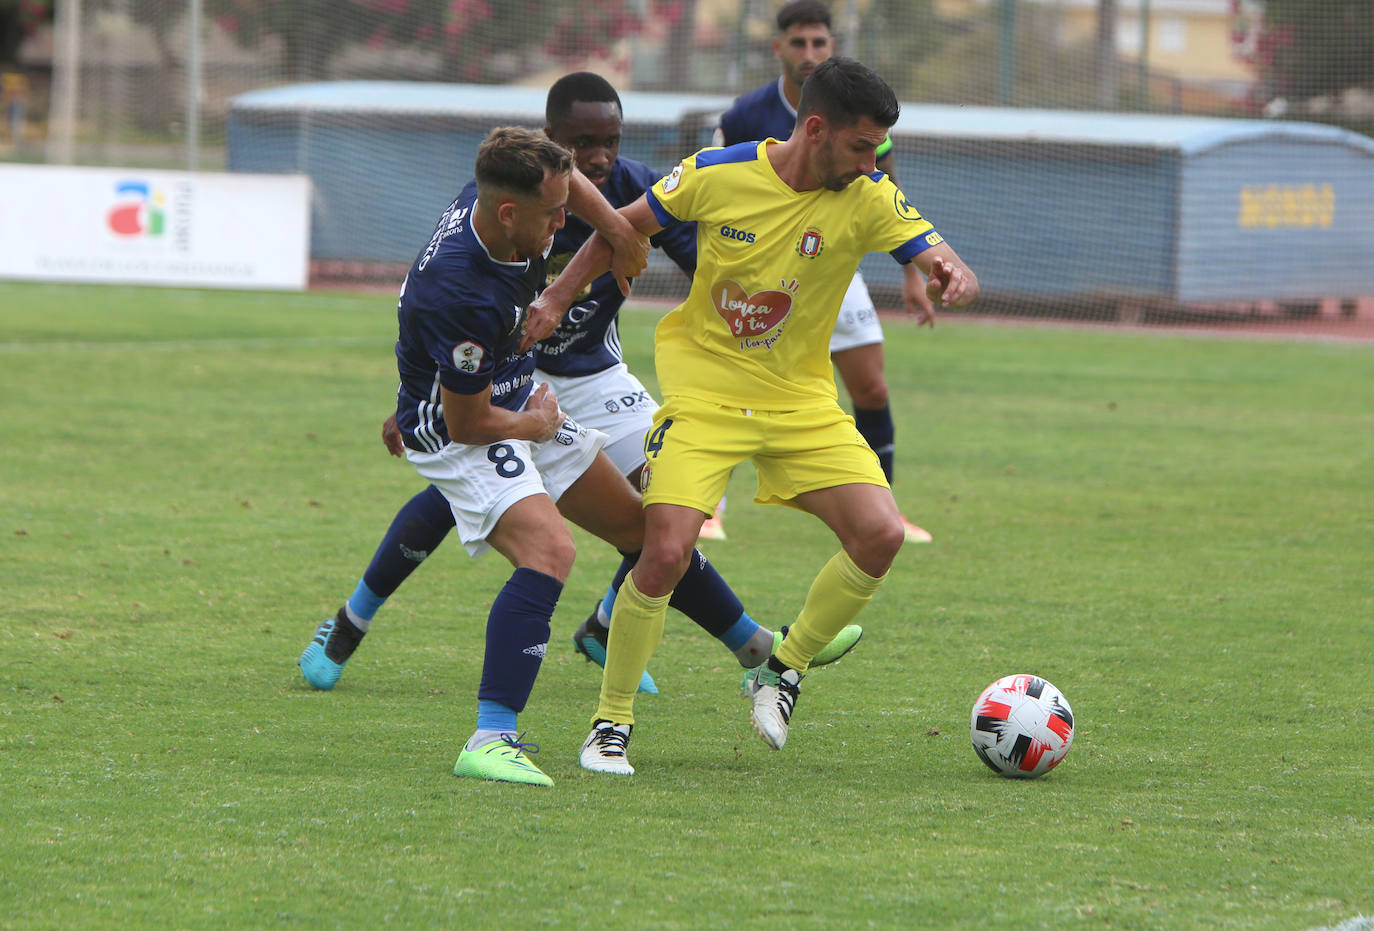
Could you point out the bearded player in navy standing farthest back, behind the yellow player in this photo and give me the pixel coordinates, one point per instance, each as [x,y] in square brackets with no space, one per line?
[804,41]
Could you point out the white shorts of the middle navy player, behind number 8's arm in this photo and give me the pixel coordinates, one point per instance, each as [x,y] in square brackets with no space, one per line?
[612,402]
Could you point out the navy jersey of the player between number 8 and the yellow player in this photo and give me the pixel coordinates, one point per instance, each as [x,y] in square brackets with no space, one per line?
[587,340]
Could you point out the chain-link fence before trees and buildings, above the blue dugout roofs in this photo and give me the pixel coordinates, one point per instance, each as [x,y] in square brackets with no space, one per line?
[128,80]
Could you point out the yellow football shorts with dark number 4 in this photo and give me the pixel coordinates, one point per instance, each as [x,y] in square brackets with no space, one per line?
[695,446]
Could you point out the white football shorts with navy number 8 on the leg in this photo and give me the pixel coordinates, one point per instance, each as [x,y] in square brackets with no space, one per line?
[482,483]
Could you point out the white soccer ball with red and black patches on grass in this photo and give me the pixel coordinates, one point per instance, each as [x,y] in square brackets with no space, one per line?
[1022,727]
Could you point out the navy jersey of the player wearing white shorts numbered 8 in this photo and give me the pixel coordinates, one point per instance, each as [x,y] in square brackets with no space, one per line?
[460,319]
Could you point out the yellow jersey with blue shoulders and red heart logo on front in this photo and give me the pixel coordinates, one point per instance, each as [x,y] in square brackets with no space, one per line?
[773,267]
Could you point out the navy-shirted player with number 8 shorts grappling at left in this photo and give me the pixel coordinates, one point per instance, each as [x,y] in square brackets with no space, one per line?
[495,444]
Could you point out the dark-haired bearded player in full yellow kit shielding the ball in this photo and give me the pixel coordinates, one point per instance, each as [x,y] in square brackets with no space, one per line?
[745,371]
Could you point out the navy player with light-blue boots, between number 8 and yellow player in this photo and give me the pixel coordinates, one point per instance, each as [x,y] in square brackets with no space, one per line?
[582,363]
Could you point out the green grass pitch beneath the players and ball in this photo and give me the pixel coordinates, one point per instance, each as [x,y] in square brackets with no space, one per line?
[1175,532]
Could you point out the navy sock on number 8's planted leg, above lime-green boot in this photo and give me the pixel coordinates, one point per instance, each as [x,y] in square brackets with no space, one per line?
[517,636]
